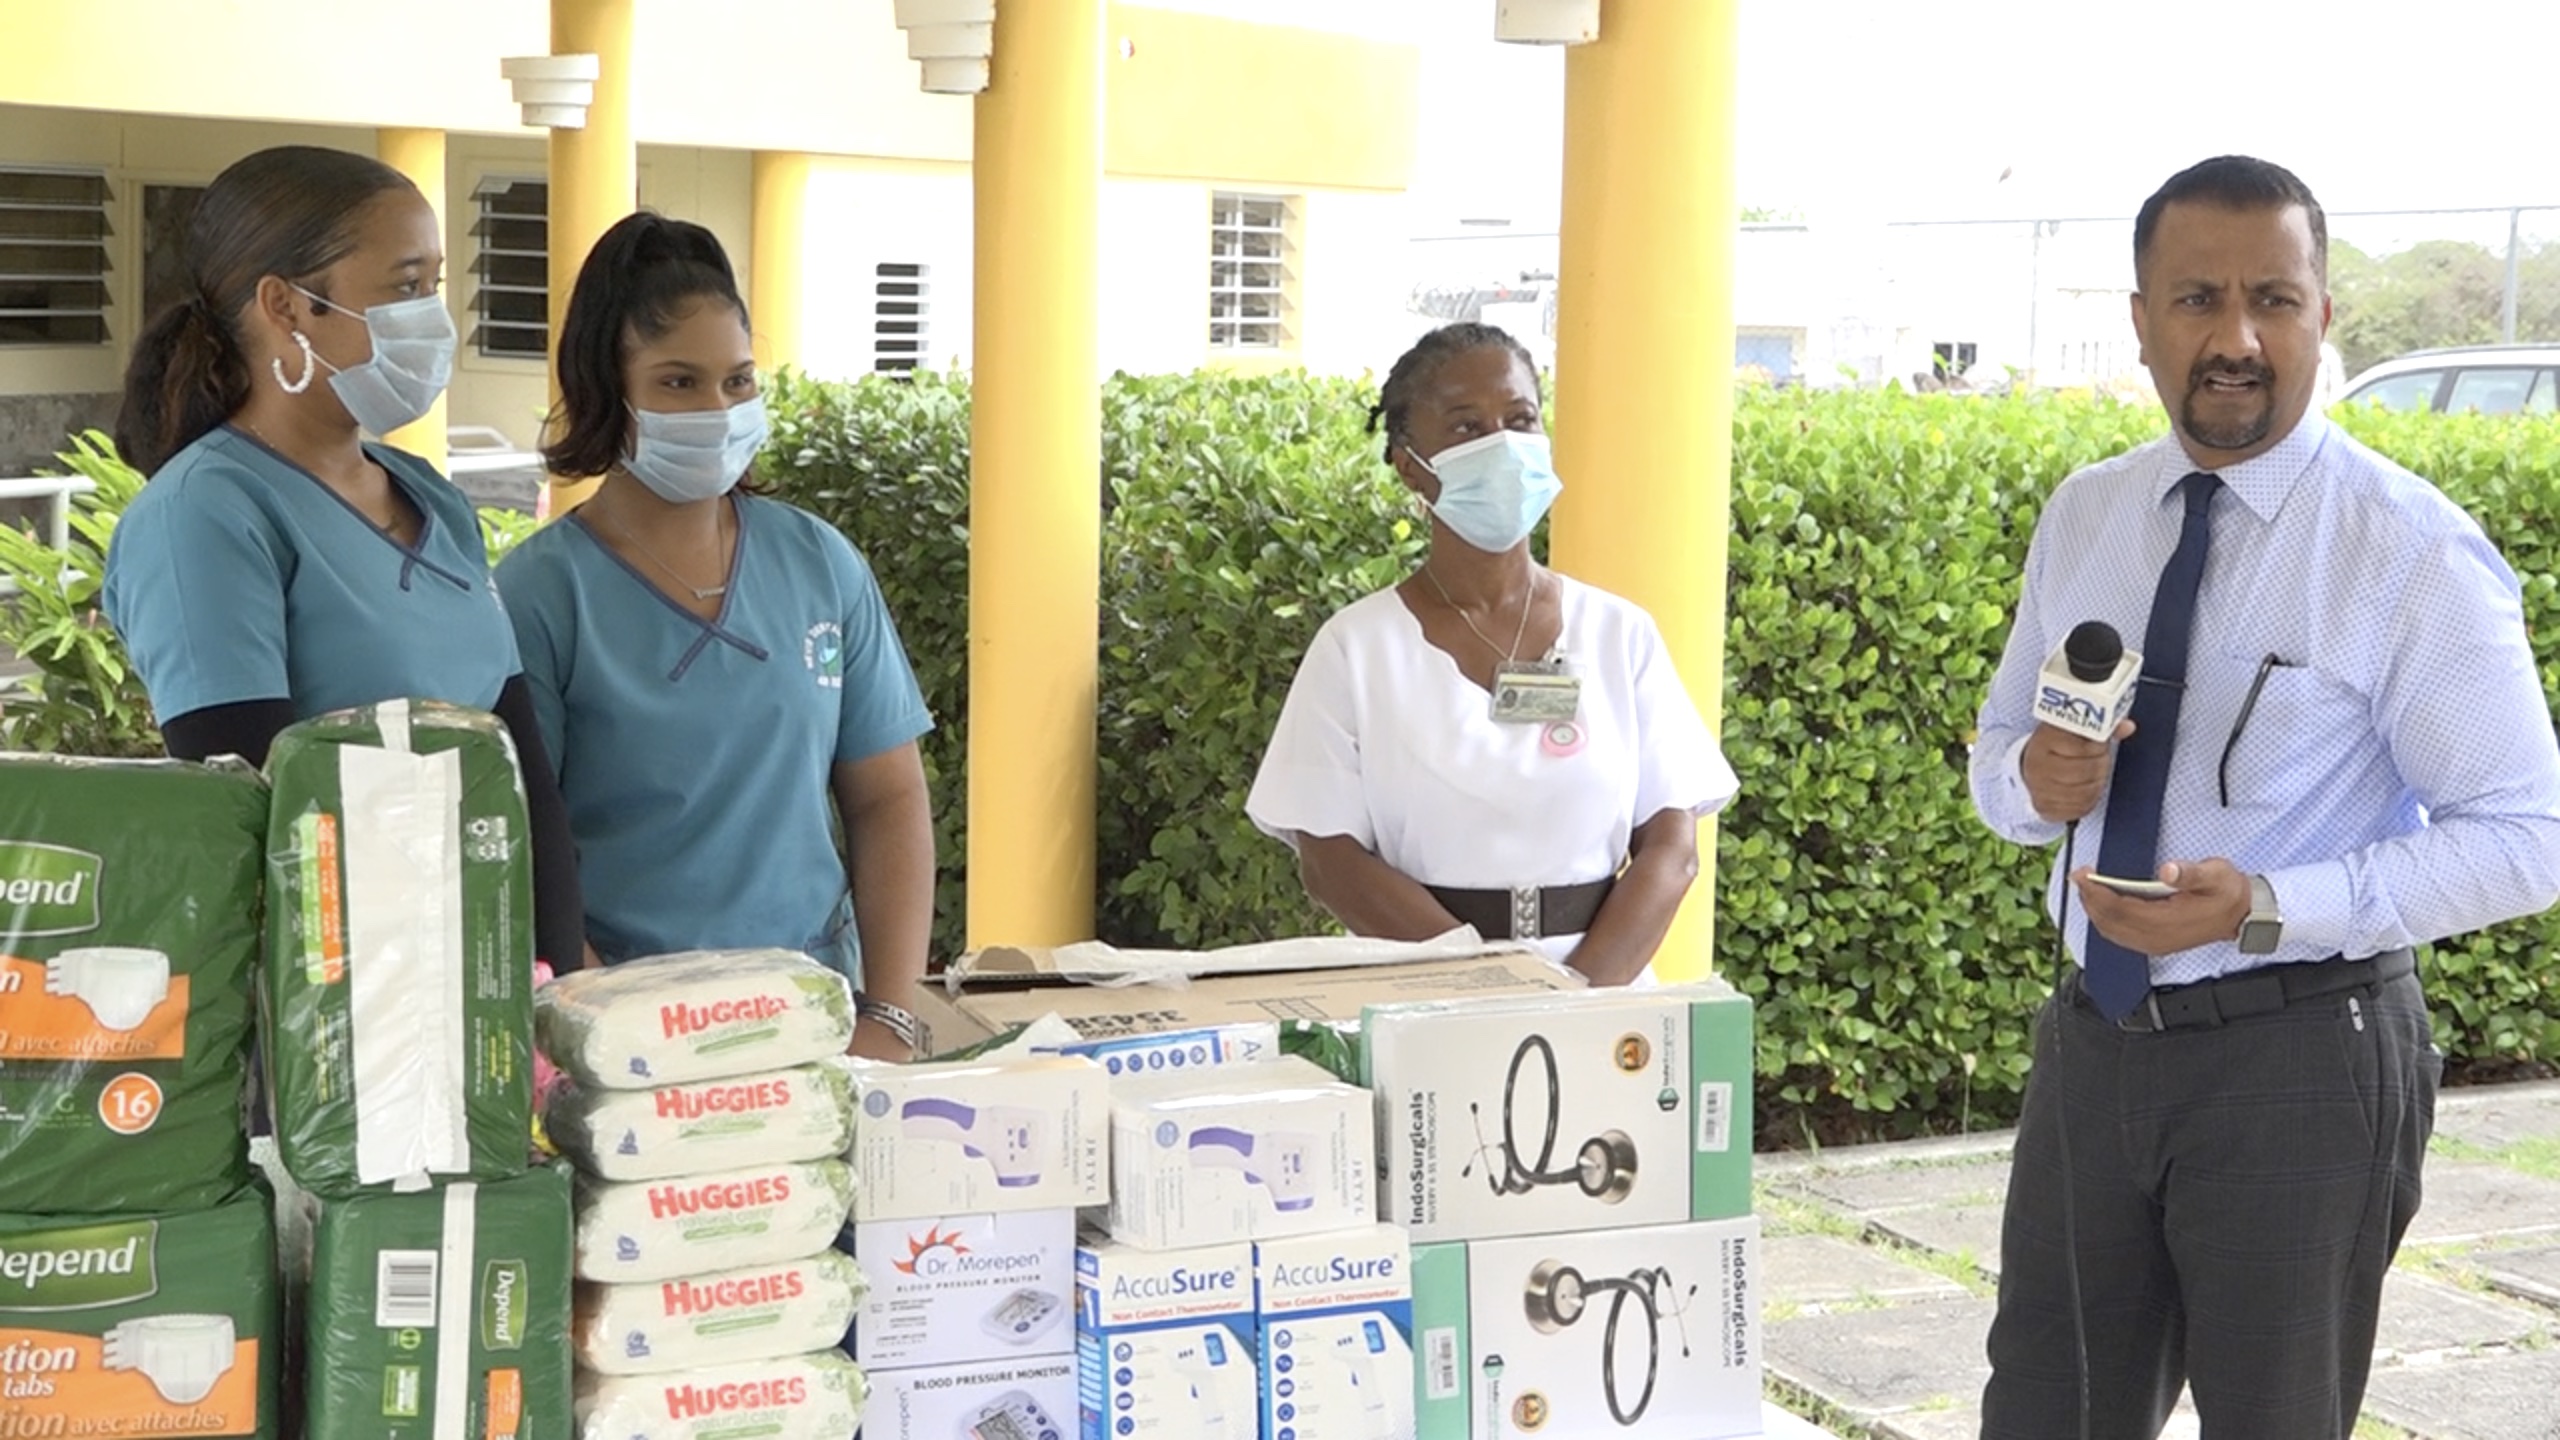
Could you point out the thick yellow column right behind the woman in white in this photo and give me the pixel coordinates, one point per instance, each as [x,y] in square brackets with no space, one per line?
[1645,347]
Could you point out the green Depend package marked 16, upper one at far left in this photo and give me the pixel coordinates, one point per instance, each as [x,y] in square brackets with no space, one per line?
[129,934]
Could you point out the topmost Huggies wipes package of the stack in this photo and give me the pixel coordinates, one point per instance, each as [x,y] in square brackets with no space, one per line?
[695,1016]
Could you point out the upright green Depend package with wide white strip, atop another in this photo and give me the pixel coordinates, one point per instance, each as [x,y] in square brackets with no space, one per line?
[398,949]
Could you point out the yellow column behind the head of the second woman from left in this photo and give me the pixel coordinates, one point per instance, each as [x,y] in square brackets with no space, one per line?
[595,173]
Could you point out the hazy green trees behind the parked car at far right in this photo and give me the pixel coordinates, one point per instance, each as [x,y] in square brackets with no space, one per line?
[2438,293]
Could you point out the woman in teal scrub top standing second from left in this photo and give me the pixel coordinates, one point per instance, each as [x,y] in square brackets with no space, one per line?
[716,670]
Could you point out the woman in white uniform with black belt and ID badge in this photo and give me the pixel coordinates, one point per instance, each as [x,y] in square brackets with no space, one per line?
[1489,742]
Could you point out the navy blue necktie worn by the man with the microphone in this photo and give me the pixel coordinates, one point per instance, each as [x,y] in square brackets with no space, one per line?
[2118,978]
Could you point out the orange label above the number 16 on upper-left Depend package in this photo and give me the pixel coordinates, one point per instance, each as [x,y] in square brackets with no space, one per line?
[91,1006]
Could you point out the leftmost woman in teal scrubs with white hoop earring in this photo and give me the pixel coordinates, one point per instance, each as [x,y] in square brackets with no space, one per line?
[280,565]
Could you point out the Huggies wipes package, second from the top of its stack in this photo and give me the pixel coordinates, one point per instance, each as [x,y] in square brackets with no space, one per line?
[803,1113]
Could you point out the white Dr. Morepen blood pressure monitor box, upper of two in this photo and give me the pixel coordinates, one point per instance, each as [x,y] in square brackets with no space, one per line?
[964,1290]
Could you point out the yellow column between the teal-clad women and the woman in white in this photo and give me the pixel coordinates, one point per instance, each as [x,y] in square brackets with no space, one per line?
[1036,493]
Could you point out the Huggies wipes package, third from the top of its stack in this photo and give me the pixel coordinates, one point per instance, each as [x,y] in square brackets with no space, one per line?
[754,1216]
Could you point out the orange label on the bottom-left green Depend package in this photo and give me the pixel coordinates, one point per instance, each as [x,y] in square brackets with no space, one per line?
[165,1380]
